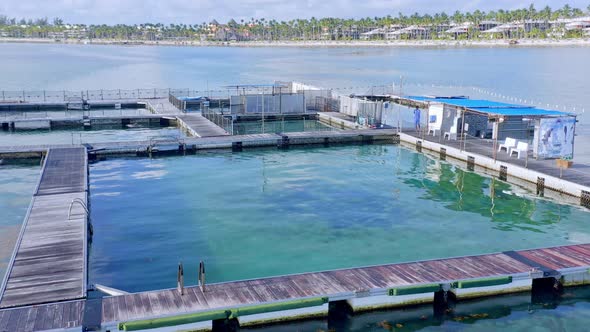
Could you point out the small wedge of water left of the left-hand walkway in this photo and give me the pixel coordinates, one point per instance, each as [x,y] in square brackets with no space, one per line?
[17,184]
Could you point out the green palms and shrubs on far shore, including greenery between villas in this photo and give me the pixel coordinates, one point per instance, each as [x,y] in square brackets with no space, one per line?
[431,27]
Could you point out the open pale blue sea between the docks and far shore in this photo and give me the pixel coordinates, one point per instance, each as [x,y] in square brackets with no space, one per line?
[550,77]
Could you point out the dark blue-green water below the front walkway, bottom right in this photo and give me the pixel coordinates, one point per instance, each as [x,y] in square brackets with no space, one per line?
[567,312]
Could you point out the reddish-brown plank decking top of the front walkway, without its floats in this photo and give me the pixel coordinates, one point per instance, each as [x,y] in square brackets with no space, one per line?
[340,284]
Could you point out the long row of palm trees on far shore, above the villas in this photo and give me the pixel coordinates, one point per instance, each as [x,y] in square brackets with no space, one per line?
[271,29]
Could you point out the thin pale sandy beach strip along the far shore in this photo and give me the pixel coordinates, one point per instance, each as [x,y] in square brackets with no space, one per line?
[314,43]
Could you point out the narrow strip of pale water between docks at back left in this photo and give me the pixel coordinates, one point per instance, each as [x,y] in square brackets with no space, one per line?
[80,136]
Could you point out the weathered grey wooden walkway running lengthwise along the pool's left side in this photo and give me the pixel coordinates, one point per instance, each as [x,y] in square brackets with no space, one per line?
[49,260]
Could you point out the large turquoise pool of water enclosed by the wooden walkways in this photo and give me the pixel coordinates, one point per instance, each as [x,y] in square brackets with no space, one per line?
[270,212]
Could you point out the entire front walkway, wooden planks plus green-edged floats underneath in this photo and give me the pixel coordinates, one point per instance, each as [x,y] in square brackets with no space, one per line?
[497,273]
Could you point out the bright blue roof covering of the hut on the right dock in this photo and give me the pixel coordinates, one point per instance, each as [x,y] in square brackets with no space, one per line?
[490,107]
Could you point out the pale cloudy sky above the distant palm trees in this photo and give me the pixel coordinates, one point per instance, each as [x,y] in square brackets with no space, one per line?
[198,11]
